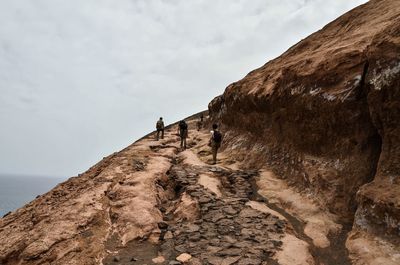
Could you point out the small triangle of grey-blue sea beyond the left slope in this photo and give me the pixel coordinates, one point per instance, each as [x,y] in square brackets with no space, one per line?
[16,191]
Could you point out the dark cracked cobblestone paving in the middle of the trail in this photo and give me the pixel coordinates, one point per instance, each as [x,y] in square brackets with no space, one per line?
[227,230]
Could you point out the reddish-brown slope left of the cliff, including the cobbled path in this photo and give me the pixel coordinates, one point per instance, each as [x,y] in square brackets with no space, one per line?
[151,203]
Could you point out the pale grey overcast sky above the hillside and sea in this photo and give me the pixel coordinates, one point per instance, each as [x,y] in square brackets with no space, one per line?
[80,79]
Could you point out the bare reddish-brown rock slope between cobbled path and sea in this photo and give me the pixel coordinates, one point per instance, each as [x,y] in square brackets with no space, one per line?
[82,219]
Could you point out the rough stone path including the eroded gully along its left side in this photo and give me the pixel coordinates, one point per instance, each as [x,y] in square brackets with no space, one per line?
[224,230]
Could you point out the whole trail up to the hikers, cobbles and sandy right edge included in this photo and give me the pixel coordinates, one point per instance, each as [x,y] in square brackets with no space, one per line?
[217,215]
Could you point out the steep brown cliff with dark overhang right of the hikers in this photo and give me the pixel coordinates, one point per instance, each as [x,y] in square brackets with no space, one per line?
[325,116]
